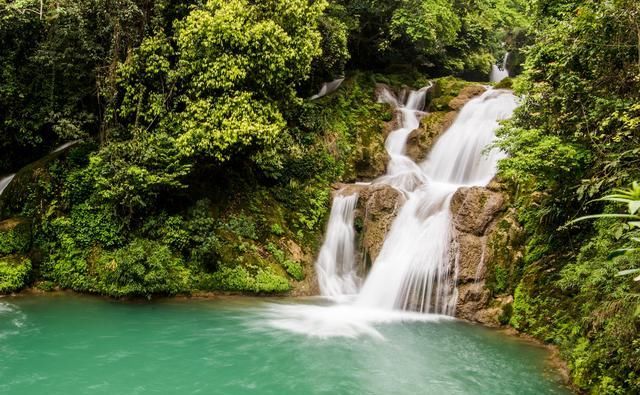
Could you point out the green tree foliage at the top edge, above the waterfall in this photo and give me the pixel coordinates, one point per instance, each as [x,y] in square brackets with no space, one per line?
[443,36]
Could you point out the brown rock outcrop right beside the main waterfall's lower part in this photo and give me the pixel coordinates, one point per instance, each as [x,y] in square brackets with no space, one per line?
[486,249]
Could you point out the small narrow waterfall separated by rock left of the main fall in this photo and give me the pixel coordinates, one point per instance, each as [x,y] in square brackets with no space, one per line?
[336,264]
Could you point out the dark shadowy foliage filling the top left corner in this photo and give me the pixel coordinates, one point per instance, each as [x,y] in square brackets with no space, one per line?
[57,67]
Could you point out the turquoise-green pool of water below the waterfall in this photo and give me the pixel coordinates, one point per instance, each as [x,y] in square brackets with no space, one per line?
[82,345]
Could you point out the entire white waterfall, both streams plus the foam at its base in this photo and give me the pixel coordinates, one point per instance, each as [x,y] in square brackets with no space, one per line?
[414,272]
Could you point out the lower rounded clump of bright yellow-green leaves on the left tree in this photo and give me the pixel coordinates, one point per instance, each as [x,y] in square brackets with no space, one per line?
[221,128]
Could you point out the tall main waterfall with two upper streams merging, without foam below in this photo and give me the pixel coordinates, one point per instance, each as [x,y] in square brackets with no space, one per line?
[414,270]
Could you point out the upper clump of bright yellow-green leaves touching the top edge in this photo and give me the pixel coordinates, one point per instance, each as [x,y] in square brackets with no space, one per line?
[234,45]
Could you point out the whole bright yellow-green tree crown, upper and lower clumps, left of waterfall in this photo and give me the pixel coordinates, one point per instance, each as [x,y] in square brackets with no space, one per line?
[218,84]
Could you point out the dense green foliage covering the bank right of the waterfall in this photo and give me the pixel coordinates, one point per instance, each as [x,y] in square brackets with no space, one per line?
[575,138]
